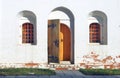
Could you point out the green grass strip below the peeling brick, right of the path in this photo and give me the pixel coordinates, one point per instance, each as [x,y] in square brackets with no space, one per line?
[100,71]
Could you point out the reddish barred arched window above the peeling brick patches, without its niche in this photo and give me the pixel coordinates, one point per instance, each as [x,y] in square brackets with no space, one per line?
[94,31]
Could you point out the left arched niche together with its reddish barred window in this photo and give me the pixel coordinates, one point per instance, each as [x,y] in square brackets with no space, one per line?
[28,31]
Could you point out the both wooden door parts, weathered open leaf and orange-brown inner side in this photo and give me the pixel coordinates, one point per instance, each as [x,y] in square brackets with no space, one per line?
[59,42]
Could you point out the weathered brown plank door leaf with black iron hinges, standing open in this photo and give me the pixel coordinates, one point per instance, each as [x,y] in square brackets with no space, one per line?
[53,41]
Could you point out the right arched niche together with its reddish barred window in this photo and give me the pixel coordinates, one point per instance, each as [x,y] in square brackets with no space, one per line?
[97,23]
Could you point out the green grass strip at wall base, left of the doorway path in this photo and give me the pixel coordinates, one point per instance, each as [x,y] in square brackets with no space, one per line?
[26,71]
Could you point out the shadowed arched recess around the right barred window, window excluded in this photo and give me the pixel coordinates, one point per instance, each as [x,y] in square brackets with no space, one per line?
[100,18]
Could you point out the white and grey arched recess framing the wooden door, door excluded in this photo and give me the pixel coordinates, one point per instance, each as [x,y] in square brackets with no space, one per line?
[66,17]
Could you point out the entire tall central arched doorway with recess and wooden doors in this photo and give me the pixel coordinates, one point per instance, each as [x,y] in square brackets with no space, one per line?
[61,36]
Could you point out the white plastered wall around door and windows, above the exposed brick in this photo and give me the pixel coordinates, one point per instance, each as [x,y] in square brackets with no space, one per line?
[12,51]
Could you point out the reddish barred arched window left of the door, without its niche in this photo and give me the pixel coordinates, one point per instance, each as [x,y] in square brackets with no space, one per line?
[27,33]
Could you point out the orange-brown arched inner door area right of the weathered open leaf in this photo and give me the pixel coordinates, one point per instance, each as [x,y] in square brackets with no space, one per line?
[65,43]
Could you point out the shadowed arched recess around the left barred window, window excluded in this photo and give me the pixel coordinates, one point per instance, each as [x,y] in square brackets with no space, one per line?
[27,17]
